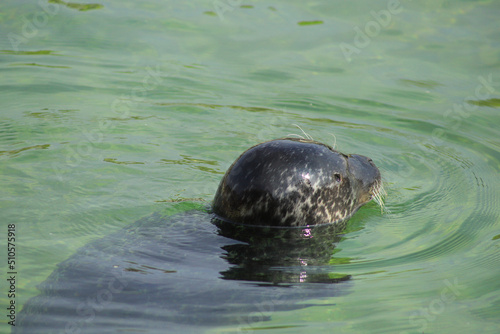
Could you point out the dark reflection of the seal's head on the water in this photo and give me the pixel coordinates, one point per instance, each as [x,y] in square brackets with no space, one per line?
[280,255]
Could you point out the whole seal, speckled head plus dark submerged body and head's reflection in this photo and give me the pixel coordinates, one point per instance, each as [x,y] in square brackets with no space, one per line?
[201,269]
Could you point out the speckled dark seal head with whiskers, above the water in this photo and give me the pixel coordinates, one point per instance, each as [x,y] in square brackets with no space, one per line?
[293,182]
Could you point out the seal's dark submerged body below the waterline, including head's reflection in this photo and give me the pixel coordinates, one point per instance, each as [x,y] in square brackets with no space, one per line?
[184,273]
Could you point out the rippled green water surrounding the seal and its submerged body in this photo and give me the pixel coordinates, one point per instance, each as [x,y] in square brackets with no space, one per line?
[113,109]
